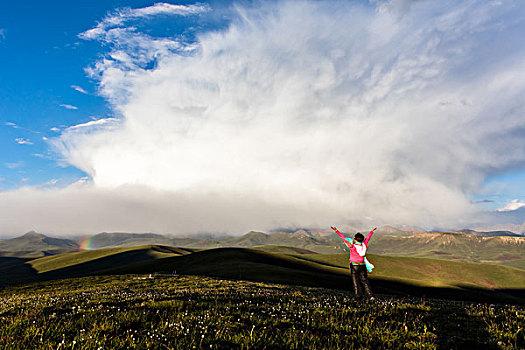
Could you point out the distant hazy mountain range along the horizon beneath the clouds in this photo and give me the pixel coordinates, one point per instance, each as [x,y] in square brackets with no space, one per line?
[499,247]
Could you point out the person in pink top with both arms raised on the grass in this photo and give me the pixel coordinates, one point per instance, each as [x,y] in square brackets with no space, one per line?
[358,262]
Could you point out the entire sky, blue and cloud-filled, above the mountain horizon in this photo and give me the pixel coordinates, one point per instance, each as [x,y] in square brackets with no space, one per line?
[224,117]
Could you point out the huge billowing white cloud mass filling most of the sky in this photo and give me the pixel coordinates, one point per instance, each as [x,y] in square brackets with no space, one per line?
[300,113]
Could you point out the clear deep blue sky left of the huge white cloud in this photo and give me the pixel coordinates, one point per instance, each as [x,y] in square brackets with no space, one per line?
[44,84]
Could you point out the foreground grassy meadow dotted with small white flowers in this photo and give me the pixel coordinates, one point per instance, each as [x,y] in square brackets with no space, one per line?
[189,312]
